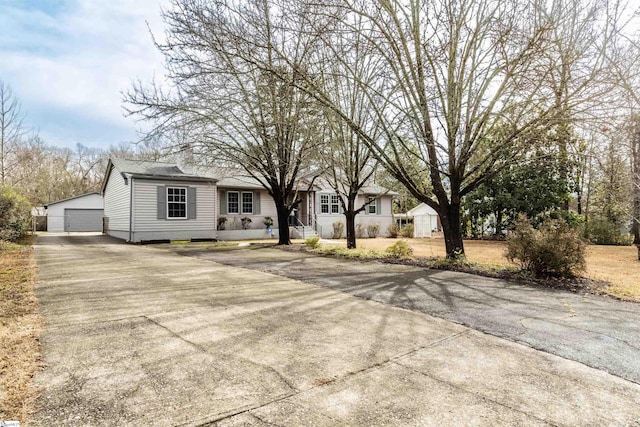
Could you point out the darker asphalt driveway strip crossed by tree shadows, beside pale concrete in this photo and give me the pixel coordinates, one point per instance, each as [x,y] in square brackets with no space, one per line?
[596,330]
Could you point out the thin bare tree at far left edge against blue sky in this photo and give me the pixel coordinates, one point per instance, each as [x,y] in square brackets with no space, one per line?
[11,126]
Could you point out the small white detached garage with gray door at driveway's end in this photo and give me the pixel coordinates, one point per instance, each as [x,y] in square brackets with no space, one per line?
[80,213]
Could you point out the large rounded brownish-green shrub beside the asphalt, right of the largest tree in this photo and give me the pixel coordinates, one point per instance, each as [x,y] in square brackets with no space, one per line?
[553,250]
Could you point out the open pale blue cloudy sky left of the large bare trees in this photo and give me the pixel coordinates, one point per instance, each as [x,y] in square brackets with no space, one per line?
[68,62]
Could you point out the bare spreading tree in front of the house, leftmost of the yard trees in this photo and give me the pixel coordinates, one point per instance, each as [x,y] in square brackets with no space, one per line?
[229,109]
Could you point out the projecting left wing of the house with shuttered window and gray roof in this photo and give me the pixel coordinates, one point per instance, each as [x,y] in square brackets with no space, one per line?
[155,201]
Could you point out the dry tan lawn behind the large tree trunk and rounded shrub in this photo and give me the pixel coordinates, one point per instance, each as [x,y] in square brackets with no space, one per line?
[618,265]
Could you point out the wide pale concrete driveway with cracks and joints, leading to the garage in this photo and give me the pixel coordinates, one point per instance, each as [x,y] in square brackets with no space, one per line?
[139,335]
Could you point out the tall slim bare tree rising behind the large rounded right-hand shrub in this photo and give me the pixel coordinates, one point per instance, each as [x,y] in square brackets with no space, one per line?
[576,61]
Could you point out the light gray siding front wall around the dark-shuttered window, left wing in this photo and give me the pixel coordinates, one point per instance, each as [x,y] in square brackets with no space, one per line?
[147,226]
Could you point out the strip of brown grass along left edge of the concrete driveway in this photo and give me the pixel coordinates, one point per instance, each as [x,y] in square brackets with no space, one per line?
[20,325]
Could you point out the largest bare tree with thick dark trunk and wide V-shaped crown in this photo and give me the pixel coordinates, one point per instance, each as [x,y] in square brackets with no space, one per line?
[461,83]
